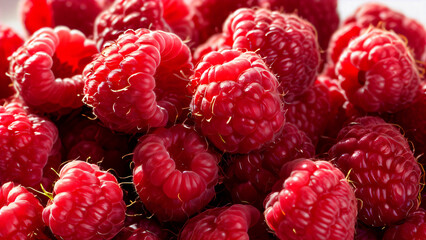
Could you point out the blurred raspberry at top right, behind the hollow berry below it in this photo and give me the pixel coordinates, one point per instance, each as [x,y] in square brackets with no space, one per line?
[379,15]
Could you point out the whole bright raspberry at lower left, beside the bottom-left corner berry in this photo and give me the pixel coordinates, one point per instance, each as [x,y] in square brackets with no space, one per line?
[87,203]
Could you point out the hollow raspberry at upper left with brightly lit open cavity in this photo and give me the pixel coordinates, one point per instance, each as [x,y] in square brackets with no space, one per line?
[46,70]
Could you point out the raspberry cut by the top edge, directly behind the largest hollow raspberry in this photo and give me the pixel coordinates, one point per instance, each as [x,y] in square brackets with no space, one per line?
[128,14]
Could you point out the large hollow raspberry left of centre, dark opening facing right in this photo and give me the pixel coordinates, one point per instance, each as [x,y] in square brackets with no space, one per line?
[140,81]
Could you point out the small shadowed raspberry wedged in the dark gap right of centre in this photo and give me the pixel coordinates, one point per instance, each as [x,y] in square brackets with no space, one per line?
[310,111]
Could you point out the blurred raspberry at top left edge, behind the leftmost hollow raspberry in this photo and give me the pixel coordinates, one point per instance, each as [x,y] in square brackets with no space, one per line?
[74,14]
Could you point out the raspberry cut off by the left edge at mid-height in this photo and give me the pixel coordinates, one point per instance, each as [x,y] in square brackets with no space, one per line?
[27,143]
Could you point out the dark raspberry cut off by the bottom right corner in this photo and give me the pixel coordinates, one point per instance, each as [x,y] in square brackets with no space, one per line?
[413,227]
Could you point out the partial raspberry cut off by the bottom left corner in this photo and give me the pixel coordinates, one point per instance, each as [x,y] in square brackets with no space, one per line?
[20,213]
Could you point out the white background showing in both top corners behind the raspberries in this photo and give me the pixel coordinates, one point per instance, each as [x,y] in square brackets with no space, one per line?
[412,8]
